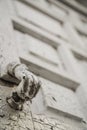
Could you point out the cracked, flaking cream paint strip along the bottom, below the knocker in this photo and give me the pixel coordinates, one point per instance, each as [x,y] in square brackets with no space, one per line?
[26,120]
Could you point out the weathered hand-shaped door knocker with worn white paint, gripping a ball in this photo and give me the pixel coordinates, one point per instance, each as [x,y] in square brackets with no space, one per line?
[26,90]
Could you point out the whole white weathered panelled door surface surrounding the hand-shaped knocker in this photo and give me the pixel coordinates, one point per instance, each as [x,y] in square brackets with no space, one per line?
[50,37]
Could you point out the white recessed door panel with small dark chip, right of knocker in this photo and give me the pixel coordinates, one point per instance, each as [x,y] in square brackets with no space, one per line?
[61,99]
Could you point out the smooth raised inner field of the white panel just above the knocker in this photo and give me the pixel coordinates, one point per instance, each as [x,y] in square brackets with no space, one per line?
[42,50]
